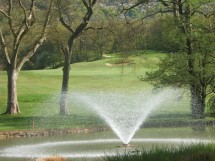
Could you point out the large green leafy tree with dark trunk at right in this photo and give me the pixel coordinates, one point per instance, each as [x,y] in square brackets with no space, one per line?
[192,64]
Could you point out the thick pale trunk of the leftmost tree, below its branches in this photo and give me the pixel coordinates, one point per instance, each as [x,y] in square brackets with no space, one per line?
[12,102]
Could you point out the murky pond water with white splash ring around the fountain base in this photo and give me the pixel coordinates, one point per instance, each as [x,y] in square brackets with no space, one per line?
[94,145]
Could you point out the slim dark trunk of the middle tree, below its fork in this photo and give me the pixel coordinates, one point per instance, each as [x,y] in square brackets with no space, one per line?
[65,82]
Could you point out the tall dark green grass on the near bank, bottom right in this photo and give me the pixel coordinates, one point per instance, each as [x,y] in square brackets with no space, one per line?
[184,153]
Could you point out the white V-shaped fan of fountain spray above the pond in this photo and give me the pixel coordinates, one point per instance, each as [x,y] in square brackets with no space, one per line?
[124,112]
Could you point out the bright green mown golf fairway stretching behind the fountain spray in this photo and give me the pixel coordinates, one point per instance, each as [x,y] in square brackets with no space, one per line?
[38,88]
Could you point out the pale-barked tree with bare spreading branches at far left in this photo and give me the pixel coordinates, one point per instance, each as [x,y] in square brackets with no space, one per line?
[20,20]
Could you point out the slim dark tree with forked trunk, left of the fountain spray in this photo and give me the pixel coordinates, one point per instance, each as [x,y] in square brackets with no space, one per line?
[75,28]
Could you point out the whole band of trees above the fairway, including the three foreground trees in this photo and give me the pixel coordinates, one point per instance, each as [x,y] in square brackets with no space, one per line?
[82,30]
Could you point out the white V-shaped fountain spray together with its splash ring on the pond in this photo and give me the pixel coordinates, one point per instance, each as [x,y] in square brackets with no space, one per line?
[123,111]
